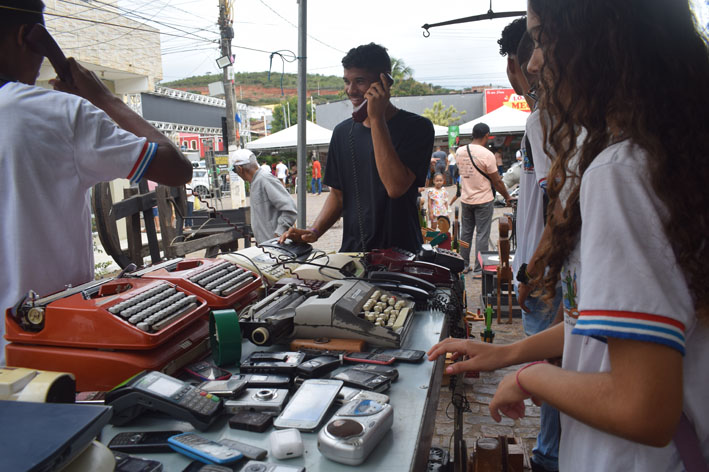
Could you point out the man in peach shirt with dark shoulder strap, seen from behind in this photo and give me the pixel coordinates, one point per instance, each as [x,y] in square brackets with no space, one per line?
[478,174]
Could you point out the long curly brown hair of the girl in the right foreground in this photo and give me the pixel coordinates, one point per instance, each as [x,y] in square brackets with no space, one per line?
[641,68]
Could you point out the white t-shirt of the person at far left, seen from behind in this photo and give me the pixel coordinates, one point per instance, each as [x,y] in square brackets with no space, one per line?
[55,147]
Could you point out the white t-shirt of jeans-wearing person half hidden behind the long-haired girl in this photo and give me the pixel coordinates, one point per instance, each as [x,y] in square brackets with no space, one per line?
[530,206]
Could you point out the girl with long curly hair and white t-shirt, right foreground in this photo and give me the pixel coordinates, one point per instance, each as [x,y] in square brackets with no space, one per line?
[628,239]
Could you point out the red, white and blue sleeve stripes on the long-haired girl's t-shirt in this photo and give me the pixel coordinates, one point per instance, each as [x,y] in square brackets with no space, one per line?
[630,325]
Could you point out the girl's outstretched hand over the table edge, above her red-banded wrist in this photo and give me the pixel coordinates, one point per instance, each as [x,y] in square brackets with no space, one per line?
[481,356]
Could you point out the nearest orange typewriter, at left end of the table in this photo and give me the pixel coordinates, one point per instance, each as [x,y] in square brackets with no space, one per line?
[108,330]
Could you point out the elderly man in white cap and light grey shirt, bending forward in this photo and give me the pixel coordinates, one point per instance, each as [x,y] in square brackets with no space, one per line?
[273,210]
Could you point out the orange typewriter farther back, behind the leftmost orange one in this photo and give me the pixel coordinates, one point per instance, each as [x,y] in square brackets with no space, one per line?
[221,283]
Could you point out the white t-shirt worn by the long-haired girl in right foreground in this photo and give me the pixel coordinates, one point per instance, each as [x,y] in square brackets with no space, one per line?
[623,281]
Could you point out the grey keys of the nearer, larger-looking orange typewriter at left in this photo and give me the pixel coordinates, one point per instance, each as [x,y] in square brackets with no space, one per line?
[156,308]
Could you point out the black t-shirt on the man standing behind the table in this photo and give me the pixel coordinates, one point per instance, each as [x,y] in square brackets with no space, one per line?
[386,222]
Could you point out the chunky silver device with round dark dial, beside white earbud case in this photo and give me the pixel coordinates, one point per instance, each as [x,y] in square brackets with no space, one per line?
[355,430]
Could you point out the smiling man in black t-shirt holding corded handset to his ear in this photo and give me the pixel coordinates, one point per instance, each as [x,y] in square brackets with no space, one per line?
[374,167]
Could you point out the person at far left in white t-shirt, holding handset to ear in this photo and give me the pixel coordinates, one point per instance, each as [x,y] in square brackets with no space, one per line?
[55,146]
